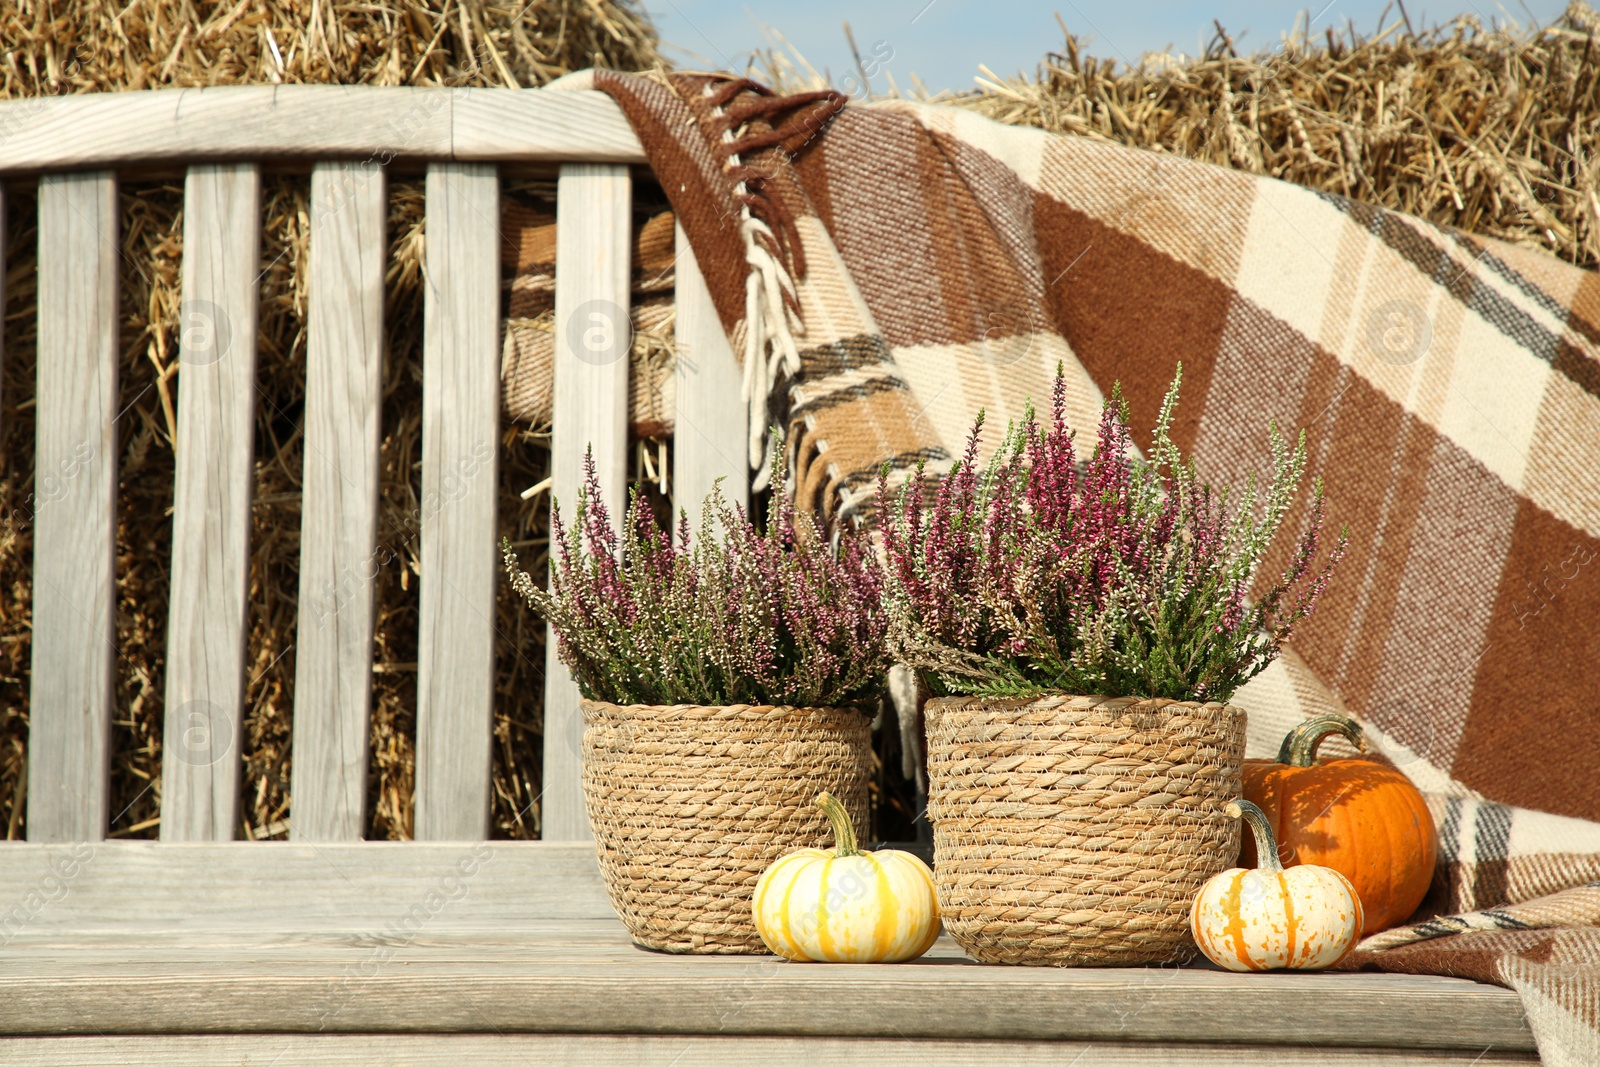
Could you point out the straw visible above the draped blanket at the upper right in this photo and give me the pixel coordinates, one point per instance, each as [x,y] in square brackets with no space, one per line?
[1487,130]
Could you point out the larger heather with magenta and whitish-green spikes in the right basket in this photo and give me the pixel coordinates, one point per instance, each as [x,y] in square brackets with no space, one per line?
[1121,577]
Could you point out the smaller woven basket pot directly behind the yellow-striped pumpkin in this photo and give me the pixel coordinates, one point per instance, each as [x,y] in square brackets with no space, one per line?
[692,804]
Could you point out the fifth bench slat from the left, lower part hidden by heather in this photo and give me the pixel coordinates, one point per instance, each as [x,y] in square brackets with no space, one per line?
[593,340]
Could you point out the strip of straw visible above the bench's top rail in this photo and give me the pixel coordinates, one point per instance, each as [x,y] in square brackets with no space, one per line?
[98,46]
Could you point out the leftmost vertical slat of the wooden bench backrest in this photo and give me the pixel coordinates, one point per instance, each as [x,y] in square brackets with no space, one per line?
[74,511]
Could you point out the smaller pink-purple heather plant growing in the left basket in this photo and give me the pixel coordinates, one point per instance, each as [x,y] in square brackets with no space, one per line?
[734,615]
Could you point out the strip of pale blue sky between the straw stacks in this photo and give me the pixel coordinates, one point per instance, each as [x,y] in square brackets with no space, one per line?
[945,41]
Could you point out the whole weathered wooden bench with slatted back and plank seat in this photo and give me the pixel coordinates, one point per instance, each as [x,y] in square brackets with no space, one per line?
[327,949]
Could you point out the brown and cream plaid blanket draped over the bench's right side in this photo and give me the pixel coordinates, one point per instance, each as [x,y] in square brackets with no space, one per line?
[890,270]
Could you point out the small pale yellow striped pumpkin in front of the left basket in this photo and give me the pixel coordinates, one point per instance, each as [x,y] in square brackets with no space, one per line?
[847,906]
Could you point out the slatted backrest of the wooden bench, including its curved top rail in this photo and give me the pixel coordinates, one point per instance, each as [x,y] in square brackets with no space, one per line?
[348,137]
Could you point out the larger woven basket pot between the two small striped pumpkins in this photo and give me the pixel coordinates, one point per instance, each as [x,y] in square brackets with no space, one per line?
[1074,831]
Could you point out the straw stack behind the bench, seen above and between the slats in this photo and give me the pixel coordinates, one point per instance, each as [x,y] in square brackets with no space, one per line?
[92,46]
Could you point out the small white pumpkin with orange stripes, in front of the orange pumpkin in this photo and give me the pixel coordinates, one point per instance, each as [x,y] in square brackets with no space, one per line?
[1303,919]
